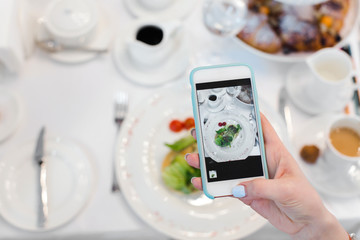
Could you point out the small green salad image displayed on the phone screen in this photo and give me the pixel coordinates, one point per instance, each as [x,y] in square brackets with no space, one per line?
[227,134]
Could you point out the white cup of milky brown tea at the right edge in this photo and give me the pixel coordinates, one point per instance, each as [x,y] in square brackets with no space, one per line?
[343,142]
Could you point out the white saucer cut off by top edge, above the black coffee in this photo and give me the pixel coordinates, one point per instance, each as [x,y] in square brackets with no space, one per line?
[169,9]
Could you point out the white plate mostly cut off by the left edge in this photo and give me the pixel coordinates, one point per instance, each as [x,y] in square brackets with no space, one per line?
[10,113]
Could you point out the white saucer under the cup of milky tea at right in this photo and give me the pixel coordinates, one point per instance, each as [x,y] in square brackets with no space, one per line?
[324,177]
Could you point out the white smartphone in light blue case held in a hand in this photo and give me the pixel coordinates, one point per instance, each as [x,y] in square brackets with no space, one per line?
[228,127]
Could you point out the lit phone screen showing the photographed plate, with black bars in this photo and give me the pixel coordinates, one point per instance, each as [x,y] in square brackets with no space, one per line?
[229,130]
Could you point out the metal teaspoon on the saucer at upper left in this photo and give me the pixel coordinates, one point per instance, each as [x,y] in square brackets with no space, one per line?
[53,46]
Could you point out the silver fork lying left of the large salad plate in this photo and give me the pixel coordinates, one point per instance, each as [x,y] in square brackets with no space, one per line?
[120,110]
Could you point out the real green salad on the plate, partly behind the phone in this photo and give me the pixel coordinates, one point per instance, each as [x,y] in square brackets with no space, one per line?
[176,172]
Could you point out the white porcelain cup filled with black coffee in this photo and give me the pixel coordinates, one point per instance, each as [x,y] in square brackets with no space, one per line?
[152,42]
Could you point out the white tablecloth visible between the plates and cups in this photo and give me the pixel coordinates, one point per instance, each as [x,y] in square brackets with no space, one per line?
[76,101]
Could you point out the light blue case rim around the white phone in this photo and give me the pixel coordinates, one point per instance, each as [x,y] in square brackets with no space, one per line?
[197,124]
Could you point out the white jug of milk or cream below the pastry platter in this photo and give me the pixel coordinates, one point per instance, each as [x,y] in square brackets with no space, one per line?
[330,72]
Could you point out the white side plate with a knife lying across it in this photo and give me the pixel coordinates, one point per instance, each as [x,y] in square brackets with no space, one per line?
[70,184]
